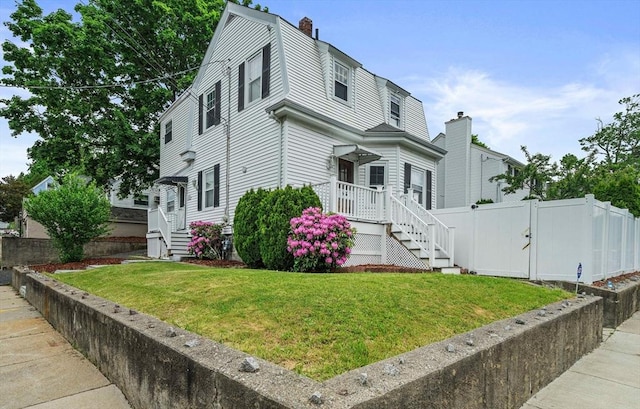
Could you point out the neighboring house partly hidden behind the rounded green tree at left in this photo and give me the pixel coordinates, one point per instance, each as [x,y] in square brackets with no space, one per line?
[128,215]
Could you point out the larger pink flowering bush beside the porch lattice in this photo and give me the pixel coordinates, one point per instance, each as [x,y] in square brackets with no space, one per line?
[319,242]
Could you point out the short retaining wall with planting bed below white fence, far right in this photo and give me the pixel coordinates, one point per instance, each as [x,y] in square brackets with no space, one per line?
[619,304]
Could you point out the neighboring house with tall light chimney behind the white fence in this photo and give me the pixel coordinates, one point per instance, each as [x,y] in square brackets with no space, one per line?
[463,175]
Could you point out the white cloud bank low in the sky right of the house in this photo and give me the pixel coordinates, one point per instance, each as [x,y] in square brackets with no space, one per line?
[546,119]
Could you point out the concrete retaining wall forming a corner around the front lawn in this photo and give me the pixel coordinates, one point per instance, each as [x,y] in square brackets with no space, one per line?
[507,363]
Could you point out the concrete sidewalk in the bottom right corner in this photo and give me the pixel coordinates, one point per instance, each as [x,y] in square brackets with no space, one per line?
[607,378]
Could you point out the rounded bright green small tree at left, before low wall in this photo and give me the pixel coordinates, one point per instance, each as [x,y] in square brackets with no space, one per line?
[73,214]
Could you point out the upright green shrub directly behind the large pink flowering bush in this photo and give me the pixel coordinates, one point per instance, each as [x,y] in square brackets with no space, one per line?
[274,215]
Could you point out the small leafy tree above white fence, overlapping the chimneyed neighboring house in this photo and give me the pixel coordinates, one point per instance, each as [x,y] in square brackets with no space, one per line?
[534,177]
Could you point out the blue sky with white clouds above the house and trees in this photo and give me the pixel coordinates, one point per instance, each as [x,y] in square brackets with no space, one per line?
[535,73]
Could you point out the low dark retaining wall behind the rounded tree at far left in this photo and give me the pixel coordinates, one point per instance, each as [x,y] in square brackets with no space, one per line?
[16,251]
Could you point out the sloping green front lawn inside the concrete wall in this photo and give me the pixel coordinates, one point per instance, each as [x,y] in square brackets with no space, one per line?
[319,325]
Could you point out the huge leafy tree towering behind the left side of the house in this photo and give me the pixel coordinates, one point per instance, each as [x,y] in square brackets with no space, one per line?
[98,85]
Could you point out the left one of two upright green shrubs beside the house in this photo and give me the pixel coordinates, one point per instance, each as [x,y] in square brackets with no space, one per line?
[245,228]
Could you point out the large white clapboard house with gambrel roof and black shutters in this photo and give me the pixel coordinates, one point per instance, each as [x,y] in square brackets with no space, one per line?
[272,106]
